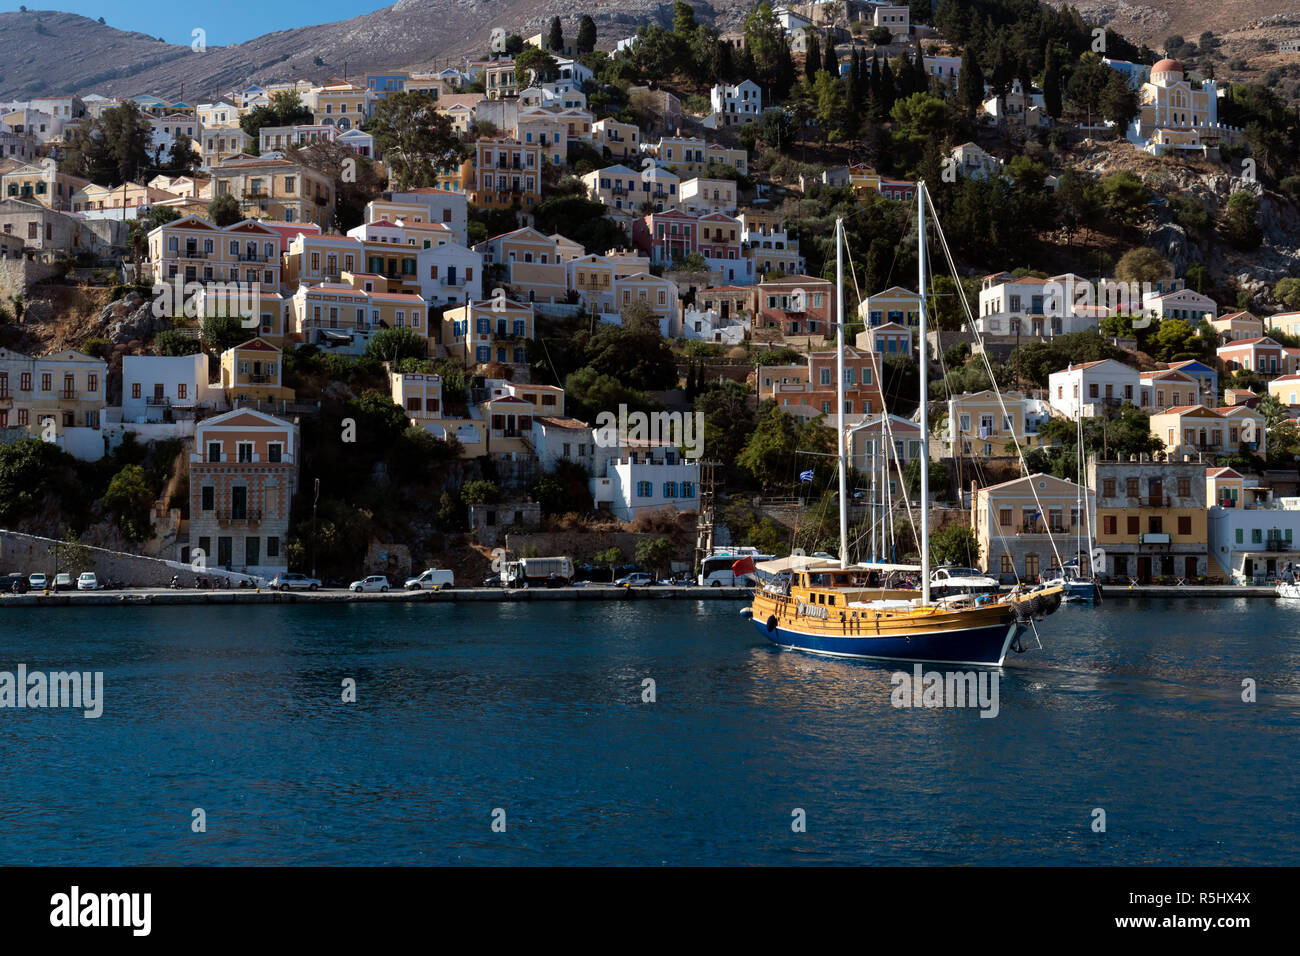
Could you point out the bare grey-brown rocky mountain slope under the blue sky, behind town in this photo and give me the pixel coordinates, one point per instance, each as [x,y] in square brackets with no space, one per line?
[49,53]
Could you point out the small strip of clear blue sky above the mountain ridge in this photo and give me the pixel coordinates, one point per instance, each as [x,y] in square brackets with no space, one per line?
[231,21]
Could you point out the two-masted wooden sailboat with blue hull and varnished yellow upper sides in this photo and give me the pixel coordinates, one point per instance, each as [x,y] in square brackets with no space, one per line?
[830,608]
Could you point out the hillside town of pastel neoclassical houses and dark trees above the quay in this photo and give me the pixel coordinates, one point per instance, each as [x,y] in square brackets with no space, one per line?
[398,319]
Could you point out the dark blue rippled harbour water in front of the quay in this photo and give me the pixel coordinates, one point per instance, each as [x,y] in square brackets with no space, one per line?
[1134,708]
